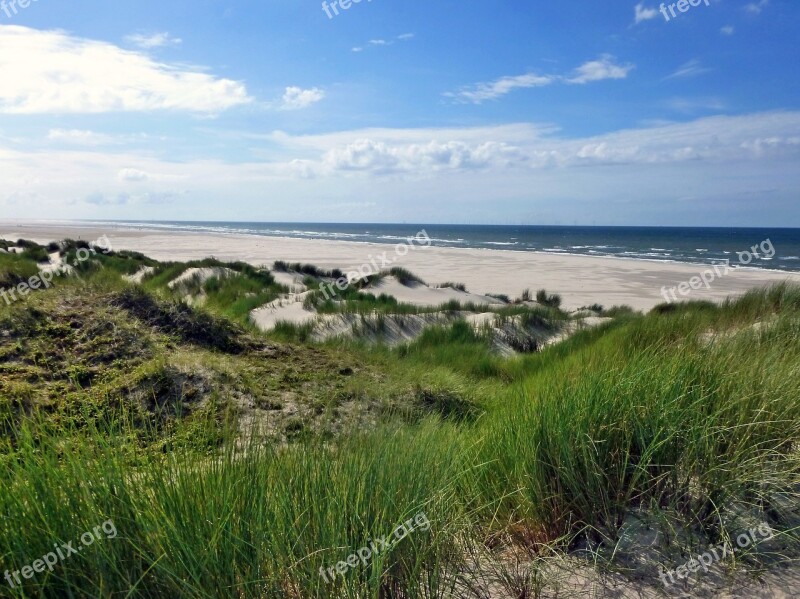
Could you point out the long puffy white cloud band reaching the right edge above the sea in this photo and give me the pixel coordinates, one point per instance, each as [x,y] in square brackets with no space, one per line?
[523,146]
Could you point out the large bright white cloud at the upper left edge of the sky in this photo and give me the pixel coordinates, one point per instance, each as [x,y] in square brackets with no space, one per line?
[51,72]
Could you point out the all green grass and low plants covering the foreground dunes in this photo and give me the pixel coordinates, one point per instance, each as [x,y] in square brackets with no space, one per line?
[119,403]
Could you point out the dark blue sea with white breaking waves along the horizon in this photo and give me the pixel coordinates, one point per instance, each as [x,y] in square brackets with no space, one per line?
[711,245]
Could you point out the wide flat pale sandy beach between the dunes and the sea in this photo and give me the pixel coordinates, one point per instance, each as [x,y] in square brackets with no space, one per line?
[581,280]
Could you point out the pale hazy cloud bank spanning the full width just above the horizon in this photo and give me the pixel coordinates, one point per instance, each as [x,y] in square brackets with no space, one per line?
[441,173]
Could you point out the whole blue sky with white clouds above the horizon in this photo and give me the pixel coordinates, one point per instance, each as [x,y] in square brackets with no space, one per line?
[502,112]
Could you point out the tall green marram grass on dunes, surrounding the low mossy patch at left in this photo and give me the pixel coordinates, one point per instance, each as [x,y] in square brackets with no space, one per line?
[692,410]
